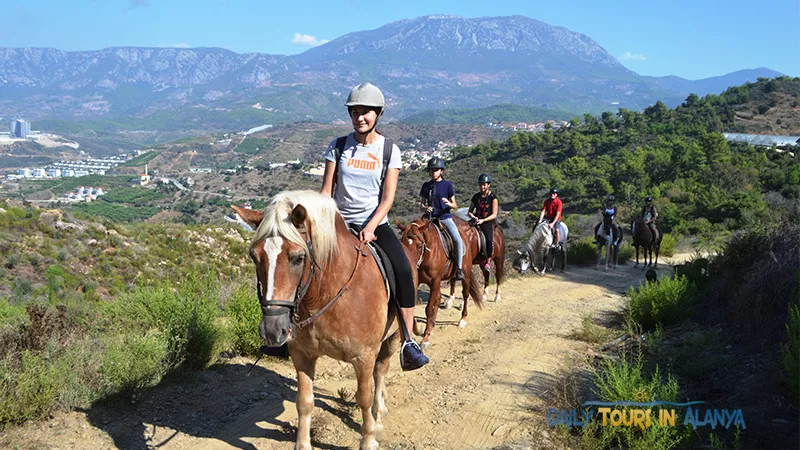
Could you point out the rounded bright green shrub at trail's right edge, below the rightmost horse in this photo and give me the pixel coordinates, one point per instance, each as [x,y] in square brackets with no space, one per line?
[664,302]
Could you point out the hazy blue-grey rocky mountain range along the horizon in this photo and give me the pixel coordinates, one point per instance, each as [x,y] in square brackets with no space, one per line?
[425,63]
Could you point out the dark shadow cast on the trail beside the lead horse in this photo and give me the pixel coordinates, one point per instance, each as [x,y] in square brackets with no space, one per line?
[220,403]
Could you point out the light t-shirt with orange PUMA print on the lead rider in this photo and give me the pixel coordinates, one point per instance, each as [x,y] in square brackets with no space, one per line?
[358,188]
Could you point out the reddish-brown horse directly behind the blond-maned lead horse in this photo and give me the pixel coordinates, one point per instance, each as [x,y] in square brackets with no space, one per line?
[421,238]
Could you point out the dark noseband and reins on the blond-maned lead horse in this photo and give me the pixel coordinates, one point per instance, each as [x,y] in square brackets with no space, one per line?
[280,307]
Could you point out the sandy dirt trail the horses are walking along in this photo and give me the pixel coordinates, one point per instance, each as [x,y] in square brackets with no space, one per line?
[482,389]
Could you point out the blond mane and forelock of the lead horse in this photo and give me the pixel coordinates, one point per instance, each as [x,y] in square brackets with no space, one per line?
[322,214]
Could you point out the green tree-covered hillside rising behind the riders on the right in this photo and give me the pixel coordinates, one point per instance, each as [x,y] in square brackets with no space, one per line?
[702,184]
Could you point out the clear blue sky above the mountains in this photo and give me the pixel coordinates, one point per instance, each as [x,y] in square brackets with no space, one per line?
[691,39]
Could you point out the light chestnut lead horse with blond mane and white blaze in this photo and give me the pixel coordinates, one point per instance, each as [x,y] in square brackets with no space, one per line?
[322,293]
